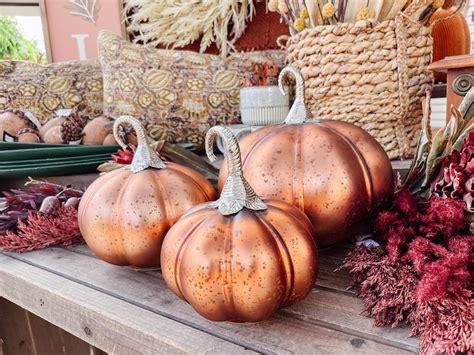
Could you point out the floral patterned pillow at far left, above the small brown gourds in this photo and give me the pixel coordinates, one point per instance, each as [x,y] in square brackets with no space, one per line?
[43,89]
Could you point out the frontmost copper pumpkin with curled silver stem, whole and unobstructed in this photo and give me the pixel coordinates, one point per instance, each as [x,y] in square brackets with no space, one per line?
[239,258]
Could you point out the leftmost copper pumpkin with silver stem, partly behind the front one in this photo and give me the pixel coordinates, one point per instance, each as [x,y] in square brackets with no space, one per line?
[125,214]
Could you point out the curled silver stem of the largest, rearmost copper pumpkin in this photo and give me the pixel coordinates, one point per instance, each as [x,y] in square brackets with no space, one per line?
[298,112]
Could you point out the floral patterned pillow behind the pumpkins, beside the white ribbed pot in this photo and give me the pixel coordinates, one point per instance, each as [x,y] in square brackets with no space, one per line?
[178,95]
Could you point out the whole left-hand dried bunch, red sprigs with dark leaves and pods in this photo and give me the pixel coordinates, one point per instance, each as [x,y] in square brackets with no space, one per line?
[43,215]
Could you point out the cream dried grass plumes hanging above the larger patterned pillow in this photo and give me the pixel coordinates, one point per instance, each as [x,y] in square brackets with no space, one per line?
[176,23]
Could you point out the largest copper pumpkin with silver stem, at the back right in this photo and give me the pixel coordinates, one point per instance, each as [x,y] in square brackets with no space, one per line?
[333,171]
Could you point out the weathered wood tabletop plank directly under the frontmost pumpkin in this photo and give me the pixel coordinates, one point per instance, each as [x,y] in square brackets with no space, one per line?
[151,293]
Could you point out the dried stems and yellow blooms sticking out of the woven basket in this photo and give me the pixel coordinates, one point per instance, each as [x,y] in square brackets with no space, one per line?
[301,14]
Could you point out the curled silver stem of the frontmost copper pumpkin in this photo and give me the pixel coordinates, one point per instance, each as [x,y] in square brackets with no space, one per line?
[237,193]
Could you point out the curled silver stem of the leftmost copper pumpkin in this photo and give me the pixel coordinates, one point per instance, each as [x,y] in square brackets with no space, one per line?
[145,156]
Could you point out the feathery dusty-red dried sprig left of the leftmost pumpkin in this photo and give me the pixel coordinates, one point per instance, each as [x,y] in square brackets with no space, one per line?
[41,231]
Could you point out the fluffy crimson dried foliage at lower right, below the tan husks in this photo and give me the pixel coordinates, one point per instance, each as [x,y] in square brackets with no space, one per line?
[422,275]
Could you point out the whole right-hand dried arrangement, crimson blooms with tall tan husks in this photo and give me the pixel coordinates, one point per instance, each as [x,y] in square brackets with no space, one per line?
[420,269]
